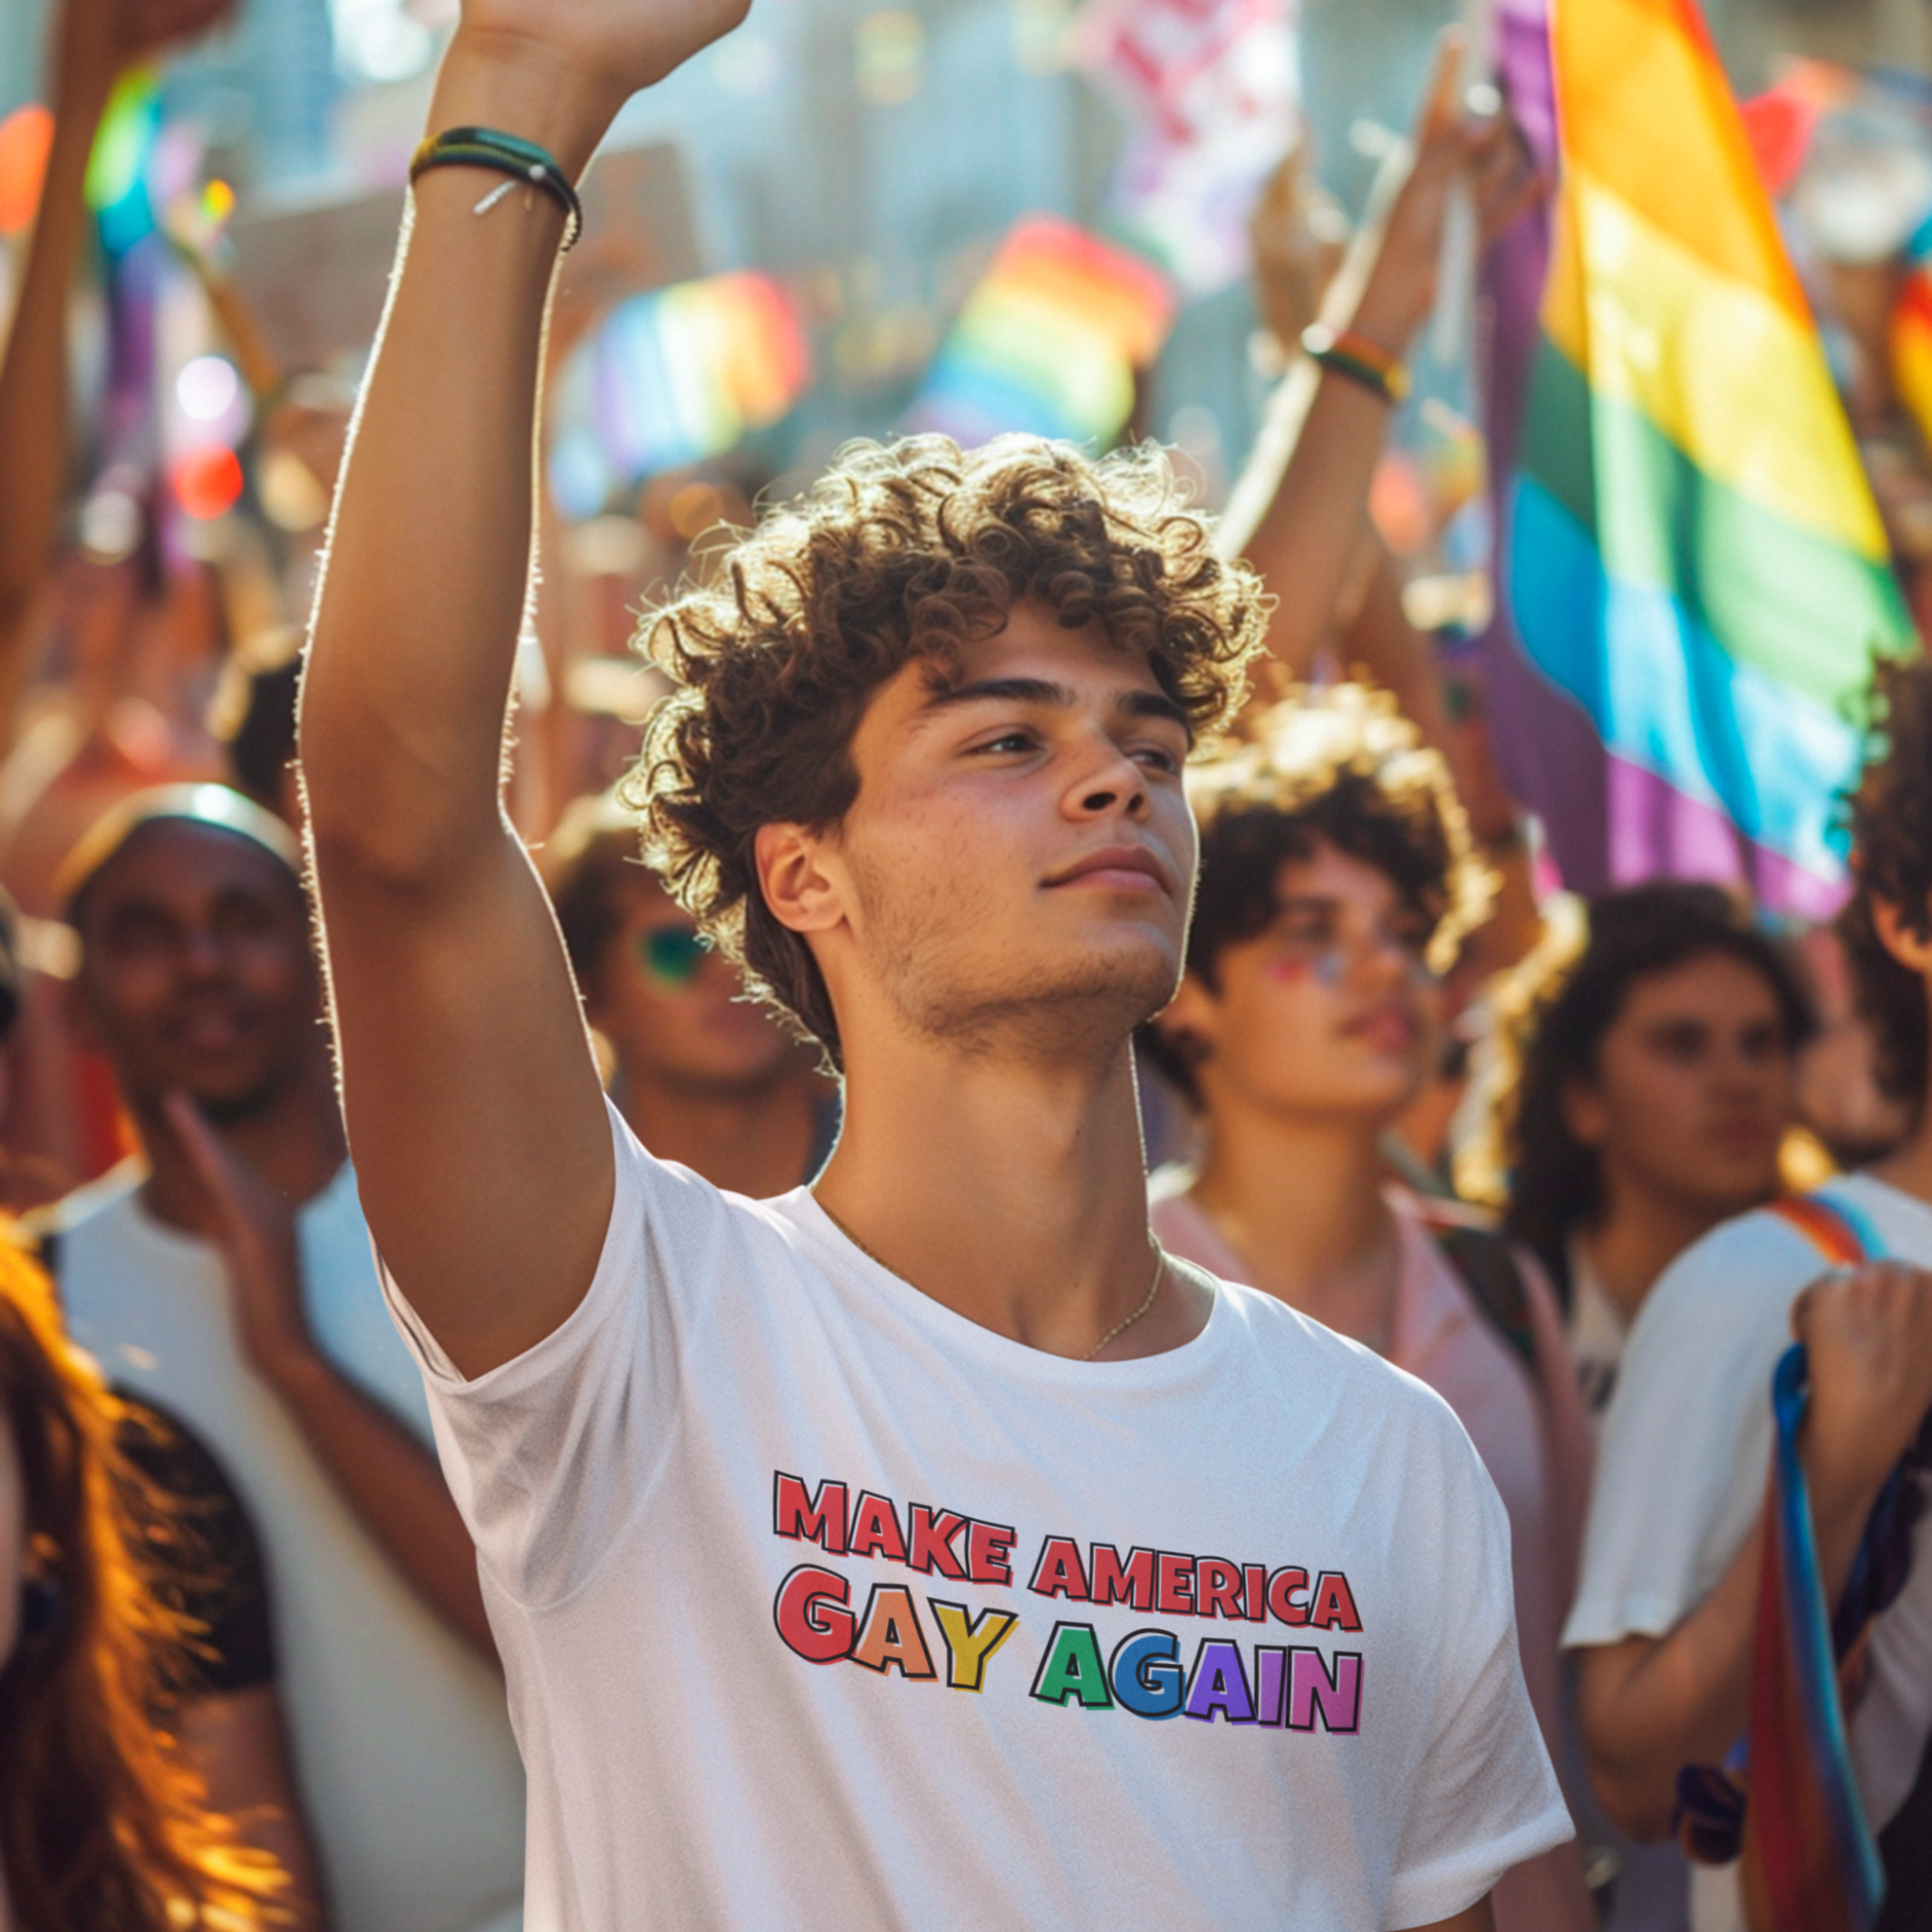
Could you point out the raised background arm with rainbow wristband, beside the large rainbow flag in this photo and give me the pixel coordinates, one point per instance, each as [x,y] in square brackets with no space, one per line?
[1301,503]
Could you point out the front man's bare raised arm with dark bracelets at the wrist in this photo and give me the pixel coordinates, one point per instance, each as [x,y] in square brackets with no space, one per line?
[469,1085]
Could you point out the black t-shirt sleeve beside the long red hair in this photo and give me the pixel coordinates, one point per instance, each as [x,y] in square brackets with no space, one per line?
[200,1554]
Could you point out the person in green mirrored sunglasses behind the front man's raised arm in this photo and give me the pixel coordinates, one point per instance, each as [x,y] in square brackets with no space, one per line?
[702,1075]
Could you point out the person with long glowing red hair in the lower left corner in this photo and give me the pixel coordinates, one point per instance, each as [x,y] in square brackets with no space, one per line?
[103,1821]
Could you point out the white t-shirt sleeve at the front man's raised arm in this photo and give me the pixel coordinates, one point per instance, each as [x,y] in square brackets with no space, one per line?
[552,1452]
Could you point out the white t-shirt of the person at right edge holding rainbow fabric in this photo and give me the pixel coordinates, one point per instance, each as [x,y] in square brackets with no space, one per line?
[1686,1458]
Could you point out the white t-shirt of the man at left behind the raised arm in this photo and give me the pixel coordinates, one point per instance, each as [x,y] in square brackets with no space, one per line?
[405,1757]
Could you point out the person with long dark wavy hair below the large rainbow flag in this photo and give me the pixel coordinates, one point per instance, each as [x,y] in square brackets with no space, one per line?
[1657,1089]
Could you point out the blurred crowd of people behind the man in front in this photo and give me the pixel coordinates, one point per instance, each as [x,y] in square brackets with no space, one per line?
[1500,1135]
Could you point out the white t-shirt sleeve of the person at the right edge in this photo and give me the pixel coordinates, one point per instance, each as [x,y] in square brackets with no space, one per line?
[1688,1438]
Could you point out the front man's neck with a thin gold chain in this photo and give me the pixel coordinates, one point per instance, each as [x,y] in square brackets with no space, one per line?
[1011,1191]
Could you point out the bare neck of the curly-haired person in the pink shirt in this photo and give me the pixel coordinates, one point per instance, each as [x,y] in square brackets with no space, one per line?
[1301,1203]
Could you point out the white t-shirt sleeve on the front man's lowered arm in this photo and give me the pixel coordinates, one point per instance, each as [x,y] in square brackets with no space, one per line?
[1485,1796]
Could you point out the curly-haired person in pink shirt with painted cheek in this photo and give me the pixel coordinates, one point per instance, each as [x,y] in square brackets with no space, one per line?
[1338,882]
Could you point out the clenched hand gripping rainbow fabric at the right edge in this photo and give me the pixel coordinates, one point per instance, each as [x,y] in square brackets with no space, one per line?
[1867,1334]
